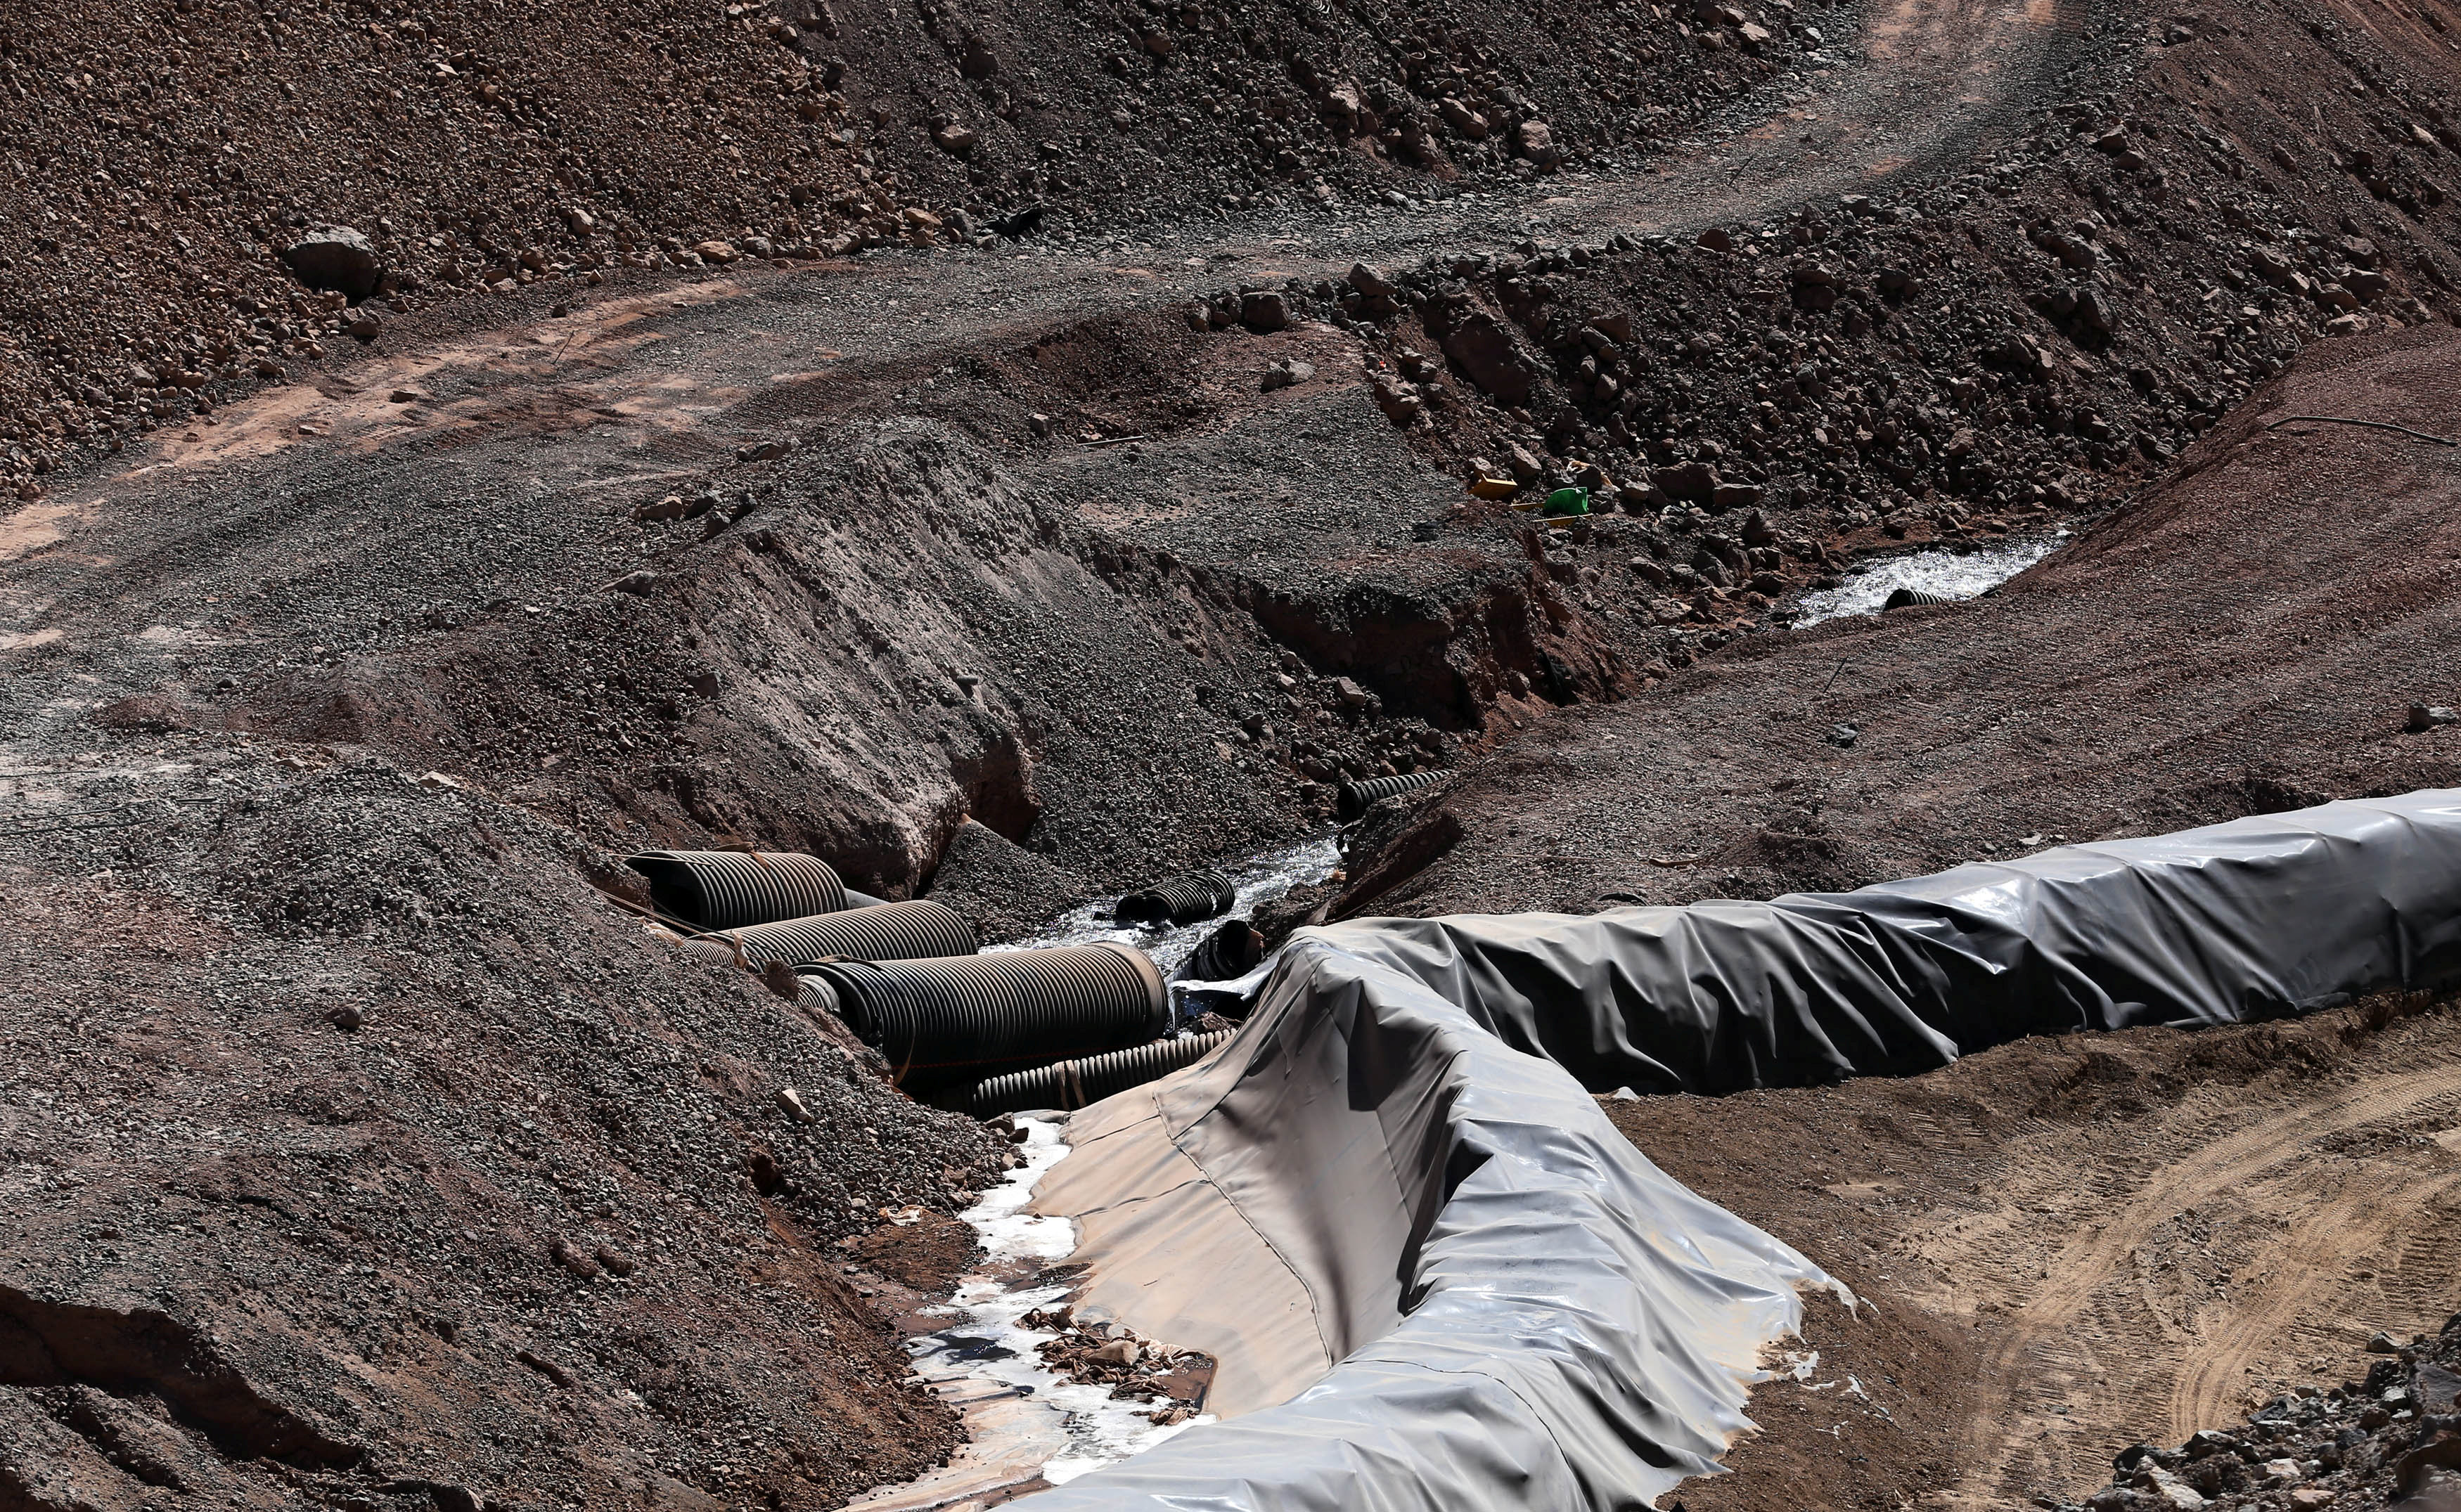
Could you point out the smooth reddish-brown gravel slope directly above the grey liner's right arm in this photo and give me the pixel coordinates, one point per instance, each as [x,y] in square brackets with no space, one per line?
[2246,638]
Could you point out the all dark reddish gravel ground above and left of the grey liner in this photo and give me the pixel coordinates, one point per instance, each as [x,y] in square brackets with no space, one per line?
[375,1159]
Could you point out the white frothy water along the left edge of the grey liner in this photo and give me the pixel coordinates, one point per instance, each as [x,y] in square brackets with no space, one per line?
[991,1344]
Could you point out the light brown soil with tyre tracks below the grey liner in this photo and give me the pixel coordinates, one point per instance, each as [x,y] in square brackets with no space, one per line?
[2066,1248]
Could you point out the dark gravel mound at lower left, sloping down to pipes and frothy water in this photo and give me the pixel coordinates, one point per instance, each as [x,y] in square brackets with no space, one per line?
[358,1152]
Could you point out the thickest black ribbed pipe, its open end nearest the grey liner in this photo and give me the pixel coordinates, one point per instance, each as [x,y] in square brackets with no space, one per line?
[966,1019]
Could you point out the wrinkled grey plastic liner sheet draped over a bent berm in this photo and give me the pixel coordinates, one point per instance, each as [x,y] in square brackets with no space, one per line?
[1441,1280]
